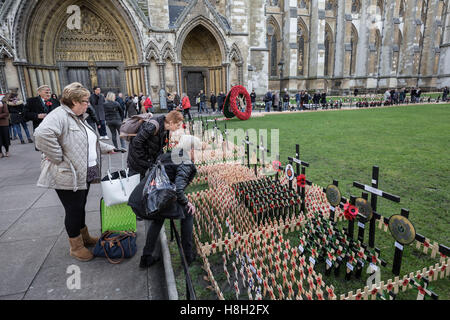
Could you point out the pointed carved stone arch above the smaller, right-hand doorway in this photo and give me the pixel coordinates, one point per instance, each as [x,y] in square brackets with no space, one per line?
[210,26]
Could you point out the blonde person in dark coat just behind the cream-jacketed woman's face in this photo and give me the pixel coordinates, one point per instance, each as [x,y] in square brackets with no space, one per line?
[114,117]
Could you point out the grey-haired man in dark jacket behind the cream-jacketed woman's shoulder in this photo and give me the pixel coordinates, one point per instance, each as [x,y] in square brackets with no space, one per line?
[38,107]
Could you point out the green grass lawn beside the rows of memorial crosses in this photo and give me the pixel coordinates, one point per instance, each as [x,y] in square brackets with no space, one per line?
[410,145]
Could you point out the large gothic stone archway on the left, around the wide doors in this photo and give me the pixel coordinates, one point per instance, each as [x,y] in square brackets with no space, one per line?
[104,51]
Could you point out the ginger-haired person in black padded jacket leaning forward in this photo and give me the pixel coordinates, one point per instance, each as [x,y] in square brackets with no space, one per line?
[149,141]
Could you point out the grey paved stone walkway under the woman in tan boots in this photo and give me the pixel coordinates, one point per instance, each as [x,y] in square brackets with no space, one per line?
[34,247]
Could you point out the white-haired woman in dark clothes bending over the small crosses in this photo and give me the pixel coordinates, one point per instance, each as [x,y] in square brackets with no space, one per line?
[181,173]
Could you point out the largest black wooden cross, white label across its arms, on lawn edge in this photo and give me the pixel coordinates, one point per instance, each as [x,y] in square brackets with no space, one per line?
[375,193]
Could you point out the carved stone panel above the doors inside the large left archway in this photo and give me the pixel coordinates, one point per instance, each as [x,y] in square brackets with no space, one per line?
[94,41]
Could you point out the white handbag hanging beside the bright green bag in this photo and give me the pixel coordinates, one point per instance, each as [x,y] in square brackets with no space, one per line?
[117,186]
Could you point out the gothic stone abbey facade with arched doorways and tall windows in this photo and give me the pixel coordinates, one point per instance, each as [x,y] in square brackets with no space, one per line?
[145,46]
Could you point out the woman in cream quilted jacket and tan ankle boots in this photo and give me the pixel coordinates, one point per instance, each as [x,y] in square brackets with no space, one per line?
[71,161]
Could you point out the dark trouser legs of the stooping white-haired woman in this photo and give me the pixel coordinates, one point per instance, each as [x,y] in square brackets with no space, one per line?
[186,236]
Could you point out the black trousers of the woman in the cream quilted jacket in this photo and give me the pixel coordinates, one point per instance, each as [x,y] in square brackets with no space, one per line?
[74,204]
